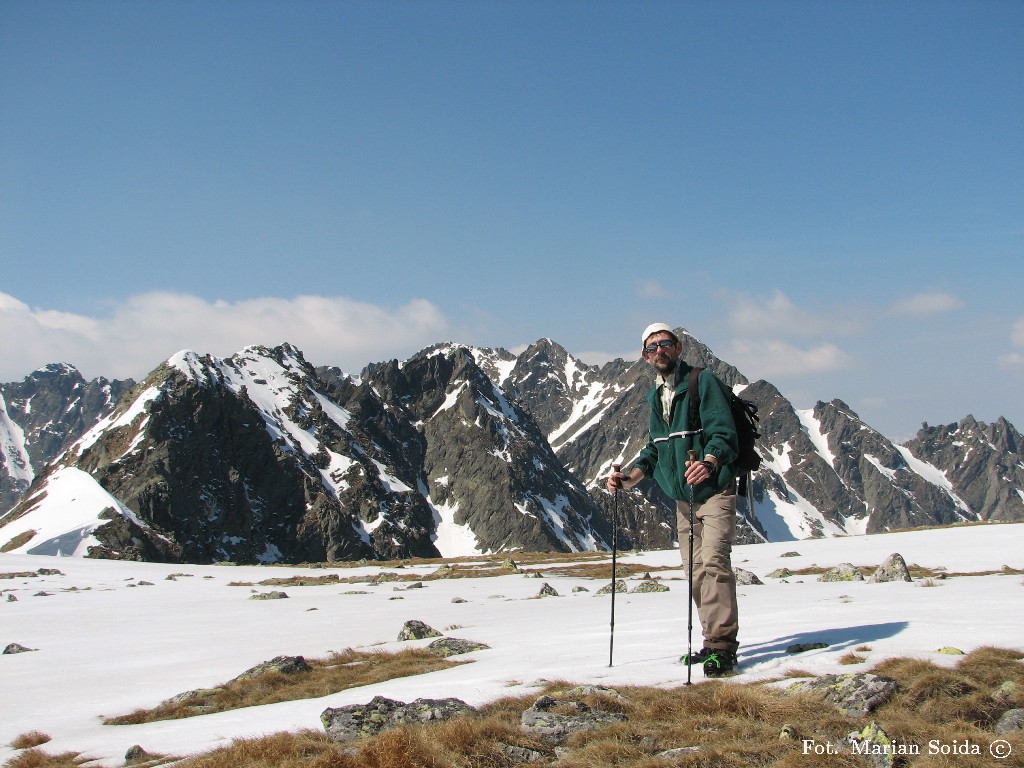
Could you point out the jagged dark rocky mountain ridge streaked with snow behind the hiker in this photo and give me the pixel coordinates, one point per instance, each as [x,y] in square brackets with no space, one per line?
[263,458]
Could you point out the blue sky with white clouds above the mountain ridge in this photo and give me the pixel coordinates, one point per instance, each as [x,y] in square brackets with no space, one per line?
[831,195]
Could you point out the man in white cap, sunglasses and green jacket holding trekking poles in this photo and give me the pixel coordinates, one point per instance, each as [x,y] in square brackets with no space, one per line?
[711,481]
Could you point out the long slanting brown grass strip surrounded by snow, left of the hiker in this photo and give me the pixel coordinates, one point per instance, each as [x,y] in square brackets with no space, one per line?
[339,672]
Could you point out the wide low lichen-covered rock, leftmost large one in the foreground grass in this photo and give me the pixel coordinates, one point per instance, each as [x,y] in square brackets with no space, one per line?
[359,721]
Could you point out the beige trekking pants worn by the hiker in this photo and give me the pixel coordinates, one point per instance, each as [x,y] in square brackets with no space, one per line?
[713,584]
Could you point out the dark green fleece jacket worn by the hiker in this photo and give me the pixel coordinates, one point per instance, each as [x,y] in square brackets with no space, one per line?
[666,461]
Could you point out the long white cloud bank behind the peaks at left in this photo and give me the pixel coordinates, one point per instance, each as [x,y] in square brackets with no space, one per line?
[147,329]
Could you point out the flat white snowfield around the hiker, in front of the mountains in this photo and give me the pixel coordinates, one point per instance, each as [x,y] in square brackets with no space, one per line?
[107,644]
